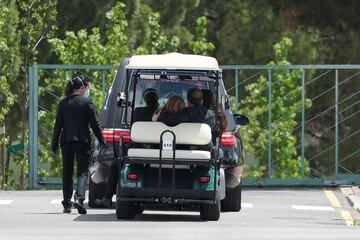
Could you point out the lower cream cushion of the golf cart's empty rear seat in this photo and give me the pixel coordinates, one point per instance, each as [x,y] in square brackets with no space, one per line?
[179,154]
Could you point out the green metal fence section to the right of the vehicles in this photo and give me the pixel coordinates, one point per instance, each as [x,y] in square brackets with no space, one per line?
[336,88]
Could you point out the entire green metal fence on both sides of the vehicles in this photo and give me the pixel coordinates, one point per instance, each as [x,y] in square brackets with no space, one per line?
[327,133]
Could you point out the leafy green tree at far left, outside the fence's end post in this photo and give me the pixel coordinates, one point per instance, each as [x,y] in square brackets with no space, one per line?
[35,23]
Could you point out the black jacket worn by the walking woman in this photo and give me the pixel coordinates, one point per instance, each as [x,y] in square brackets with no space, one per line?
[74,114]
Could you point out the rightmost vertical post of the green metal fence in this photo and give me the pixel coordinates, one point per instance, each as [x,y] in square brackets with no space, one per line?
[336,123]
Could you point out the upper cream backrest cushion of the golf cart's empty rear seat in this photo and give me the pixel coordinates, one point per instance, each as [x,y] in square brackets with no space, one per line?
[186,133]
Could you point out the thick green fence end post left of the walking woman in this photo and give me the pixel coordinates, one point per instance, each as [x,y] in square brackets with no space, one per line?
[31,128]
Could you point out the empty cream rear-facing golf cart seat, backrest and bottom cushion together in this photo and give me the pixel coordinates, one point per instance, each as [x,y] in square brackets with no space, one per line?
[198,134]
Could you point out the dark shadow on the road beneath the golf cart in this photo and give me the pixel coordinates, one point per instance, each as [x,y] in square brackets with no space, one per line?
[145,217]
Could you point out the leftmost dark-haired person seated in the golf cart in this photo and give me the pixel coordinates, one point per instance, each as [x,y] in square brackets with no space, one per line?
[145,113]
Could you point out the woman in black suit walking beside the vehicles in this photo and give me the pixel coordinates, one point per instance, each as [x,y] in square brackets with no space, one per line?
[74,115]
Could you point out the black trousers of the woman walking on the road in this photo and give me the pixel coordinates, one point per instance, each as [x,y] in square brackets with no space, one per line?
[81,152]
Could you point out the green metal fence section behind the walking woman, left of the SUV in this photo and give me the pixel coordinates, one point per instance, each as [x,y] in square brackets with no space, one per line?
[46,86]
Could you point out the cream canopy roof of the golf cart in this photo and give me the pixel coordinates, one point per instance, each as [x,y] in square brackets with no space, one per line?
[174,61]
